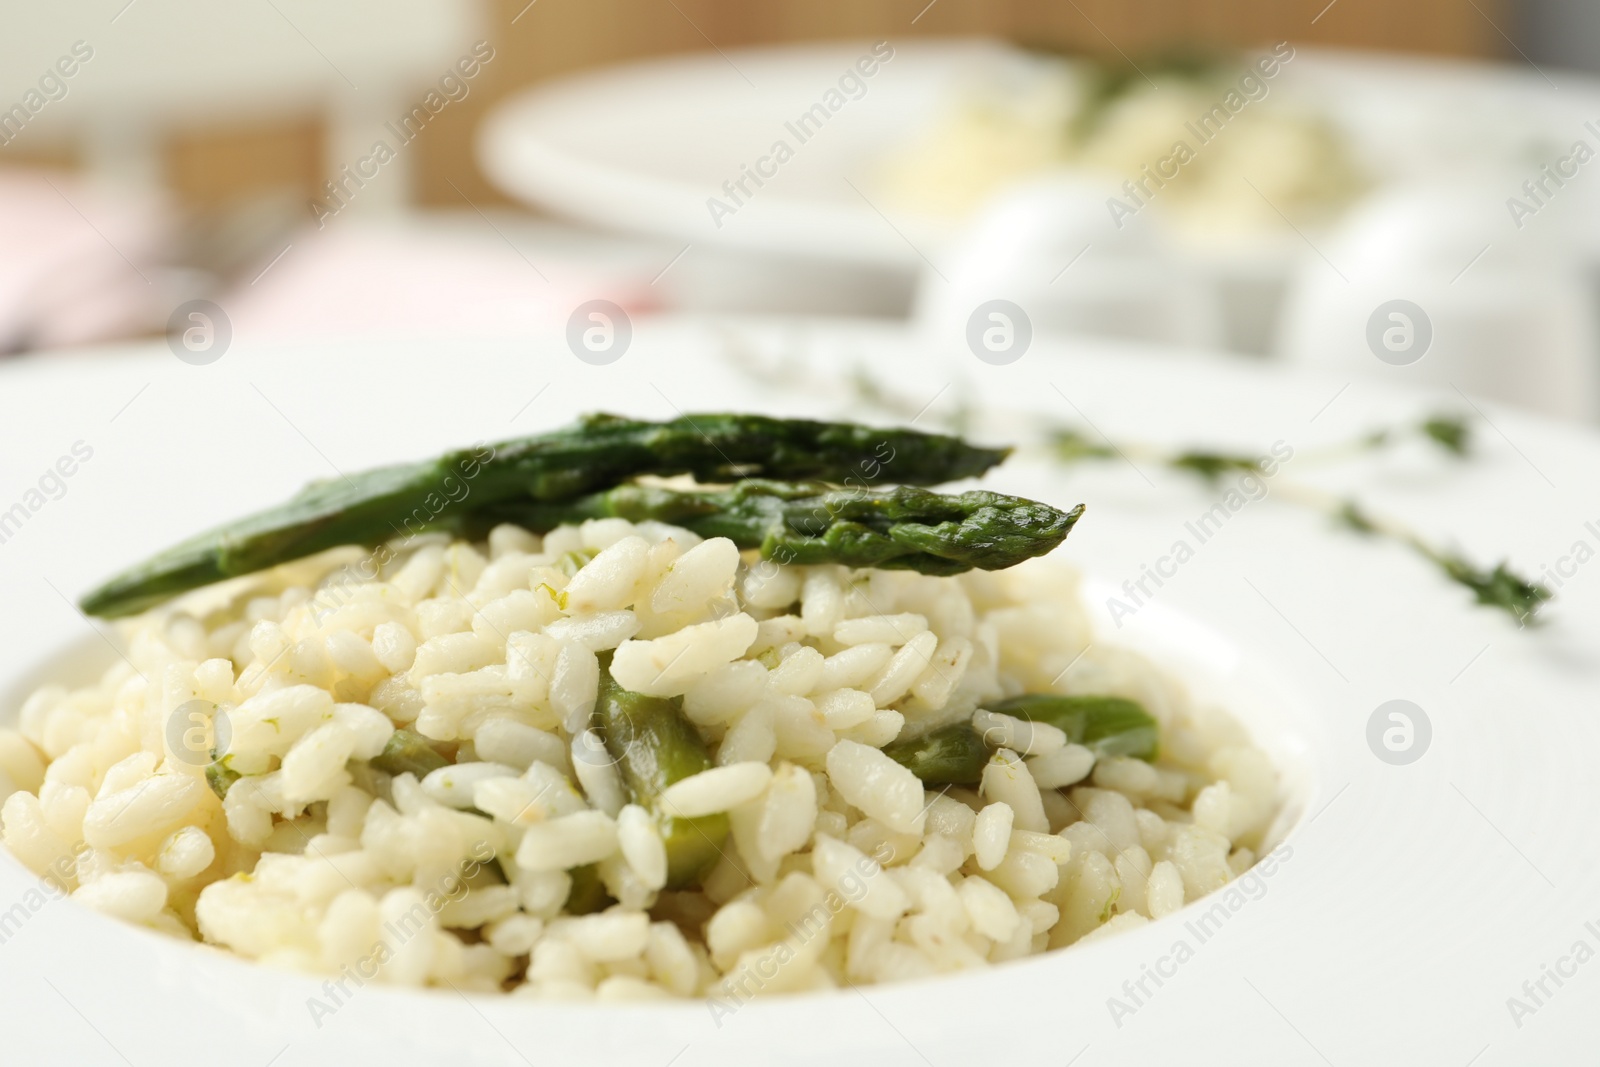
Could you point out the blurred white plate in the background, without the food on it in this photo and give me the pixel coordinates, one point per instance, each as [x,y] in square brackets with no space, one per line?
[644,146]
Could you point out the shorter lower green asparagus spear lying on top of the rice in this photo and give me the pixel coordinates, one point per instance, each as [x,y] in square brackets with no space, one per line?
[902,529]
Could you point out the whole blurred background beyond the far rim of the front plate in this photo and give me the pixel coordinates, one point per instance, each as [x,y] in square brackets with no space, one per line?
[1351,185]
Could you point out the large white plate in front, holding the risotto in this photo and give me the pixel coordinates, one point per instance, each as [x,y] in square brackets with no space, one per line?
[1418,898]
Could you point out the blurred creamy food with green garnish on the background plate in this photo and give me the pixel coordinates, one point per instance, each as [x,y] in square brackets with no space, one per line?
[1206,140]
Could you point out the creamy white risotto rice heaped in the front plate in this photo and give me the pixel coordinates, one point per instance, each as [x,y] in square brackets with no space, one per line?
[841,866]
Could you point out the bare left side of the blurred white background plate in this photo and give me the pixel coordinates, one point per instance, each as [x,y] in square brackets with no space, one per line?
[646,146]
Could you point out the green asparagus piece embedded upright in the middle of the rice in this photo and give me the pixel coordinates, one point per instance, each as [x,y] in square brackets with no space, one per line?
[657,746]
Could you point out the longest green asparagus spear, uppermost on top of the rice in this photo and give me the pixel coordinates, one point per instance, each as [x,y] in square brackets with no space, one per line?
[596,454]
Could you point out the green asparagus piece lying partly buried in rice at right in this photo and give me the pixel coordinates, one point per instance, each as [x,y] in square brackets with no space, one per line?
[1106,725]
